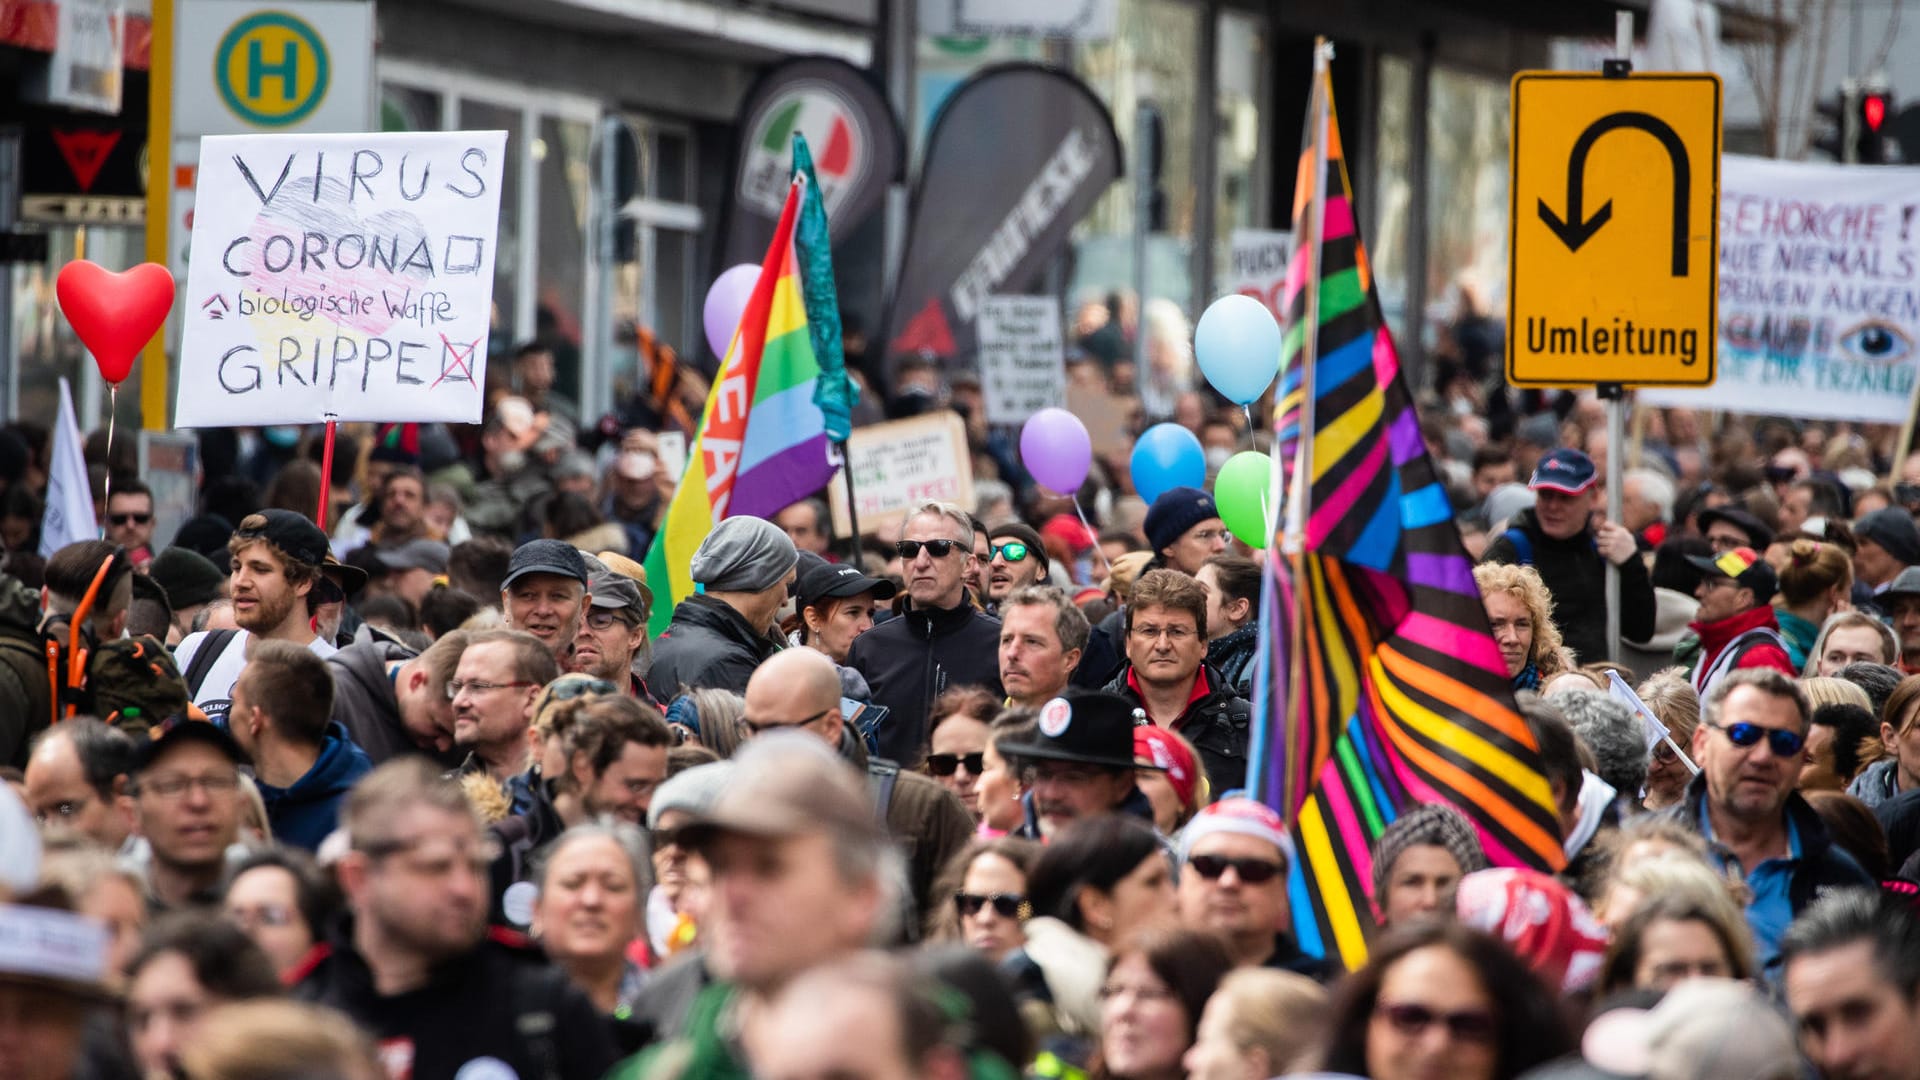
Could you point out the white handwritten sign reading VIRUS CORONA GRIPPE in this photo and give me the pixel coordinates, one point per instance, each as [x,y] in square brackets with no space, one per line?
[341,278]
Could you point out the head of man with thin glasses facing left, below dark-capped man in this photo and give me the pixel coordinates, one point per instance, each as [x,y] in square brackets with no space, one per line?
[492,693]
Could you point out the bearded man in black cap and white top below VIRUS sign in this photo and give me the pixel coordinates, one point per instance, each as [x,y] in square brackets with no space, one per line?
[277,558]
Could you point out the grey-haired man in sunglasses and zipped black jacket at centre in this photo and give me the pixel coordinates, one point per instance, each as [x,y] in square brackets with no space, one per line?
[940,641]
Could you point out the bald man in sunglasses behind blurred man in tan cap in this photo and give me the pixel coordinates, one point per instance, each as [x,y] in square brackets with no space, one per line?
[800,689]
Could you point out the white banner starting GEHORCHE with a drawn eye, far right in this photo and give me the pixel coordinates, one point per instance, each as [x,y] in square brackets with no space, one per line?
[1819,305]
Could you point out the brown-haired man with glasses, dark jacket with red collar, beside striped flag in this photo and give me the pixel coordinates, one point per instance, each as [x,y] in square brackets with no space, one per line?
[1168,677]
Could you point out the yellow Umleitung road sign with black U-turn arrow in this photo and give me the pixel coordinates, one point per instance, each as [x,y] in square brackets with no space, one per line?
[1614,232]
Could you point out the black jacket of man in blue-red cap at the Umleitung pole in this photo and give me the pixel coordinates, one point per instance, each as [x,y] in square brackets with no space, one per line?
[1577,577]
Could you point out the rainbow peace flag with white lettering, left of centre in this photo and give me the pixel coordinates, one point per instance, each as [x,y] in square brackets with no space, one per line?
[763,441]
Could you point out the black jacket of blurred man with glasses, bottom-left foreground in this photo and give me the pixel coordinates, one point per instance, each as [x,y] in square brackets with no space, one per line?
[500,1000]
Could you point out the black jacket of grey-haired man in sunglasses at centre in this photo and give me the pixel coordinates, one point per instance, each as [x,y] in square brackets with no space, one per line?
[913,660]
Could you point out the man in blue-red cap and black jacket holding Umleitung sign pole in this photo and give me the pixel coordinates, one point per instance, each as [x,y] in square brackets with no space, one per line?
[1560,539]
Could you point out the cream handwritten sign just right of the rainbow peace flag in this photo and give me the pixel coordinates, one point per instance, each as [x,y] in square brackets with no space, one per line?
[898,466]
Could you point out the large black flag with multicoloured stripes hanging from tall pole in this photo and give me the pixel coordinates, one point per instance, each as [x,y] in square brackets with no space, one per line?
[1381,685]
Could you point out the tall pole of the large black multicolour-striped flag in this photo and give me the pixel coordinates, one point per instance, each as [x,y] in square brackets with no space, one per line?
[1303,485]
